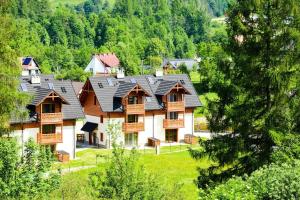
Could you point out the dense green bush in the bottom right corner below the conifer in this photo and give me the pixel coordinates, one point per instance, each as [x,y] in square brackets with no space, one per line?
[276,181]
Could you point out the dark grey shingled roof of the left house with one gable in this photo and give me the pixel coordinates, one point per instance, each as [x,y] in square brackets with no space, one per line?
[73,110]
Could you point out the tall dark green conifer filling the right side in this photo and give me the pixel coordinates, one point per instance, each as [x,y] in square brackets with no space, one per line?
[257,86]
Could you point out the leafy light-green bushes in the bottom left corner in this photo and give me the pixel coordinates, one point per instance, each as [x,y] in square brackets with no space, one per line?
[25,177]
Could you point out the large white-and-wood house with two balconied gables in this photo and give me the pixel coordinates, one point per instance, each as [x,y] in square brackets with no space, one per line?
[148,108]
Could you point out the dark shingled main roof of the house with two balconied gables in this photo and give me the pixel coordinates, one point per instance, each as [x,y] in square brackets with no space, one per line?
[108,102]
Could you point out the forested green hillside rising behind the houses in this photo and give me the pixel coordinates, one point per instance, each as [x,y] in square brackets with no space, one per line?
[62,36]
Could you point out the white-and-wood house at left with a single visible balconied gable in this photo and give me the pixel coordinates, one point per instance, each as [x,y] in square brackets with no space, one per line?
[52,114]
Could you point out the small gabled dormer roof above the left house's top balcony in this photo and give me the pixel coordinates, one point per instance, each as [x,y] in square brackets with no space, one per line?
[42,93]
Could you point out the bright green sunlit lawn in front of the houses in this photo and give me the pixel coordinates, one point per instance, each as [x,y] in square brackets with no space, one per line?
[172,166]
